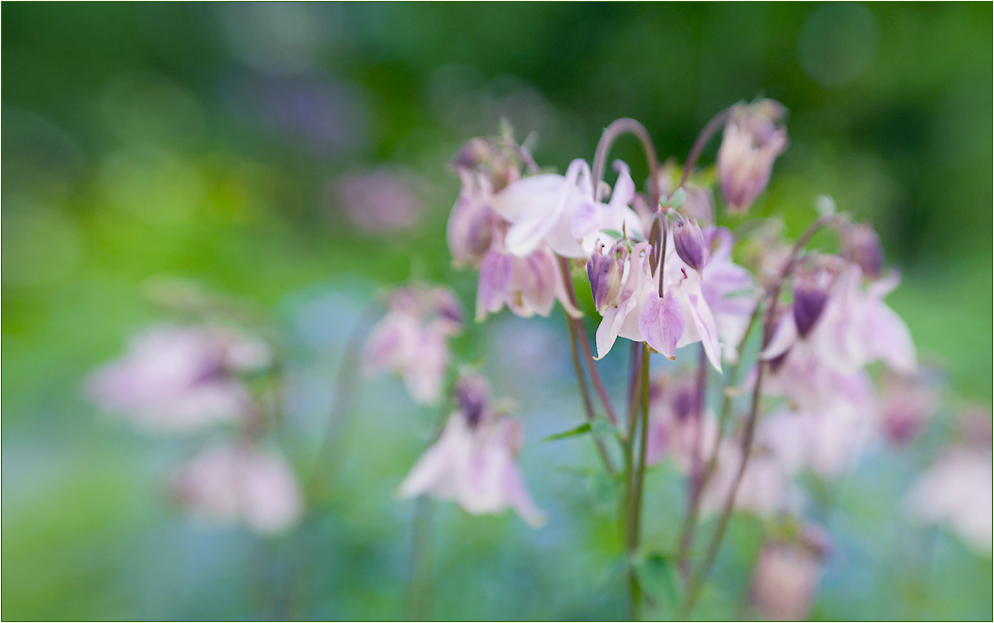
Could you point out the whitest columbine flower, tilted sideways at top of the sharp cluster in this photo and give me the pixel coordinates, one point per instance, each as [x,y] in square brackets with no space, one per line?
[541,208]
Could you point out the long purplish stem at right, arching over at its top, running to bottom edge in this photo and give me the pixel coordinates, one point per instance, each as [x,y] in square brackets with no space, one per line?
[750,428]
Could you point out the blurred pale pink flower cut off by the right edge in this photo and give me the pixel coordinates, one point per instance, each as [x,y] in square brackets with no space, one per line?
[956,491]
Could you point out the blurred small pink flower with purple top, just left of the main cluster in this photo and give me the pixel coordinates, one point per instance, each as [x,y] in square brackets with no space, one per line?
[412,340]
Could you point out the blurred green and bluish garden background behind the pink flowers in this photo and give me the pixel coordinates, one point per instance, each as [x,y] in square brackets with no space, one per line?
[213,142]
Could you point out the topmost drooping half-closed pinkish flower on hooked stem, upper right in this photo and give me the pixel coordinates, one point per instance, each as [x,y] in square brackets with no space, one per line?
[751,143]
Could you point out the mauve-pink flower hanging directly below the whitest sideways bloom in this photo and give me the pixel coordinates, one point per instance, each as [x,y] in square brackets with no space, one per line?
[528,284]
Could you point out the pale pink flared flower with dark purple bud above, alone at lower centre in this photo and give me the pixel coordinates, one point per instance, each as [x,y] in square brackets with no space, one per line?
[473,460]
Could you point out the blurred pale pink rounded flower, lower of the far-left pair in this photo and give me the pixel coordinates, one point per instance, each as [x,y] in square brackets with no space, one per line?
[240,484]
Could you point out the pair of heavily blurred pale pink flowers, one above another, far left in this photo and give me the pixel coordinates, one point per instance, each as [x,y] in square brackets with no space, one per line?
[186,380]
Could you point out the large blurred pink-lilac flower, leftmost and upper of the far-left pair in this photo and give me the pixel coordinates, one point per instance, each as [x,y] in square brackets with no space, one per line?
[179,379]
